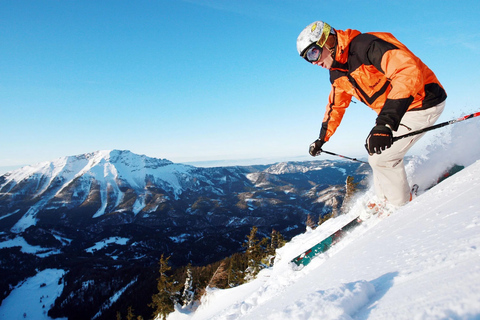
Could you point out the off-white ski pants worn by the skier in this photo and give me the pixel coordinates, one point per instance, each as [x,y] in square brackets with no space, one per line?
[390,178]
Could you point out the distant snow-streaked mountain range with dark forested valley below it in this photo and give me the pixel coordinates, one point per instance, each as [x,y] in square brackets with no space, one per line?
[105,218]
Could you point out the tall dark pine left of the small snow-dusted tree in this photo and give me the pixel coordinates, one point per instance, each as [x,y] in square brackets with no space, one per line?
[162,302]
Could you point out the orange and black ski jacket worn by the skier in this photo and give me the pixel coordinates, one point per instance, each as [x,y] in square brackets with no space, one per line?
[378,70]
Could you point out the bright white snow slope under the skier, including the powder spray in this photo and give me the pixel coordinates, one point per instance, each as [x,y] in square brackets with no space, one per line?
[421,261]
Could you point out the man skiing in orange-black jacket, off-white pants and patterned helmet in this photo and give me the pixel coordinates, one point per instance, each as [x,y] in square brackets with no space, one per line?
[378,70]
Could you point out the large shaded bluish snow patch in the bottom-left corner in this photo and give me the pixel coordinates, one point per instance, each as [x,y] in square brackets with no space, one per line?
[35,296]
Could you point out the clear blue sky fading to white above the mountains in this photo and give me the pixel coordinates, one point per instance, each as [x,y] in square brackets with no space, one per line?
[194,81]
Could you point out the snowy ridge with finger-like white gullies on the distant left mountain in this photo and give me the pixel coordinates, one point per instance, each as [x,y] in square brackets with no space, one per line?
[71,178]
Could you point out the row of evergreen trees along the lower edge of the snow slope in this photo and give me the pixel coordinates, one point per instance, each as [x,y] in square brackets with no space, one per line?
[185,286]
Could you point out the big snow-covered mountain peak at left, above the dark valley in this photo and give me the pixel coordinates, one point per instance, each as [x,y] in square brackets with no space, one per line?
[117,180]
